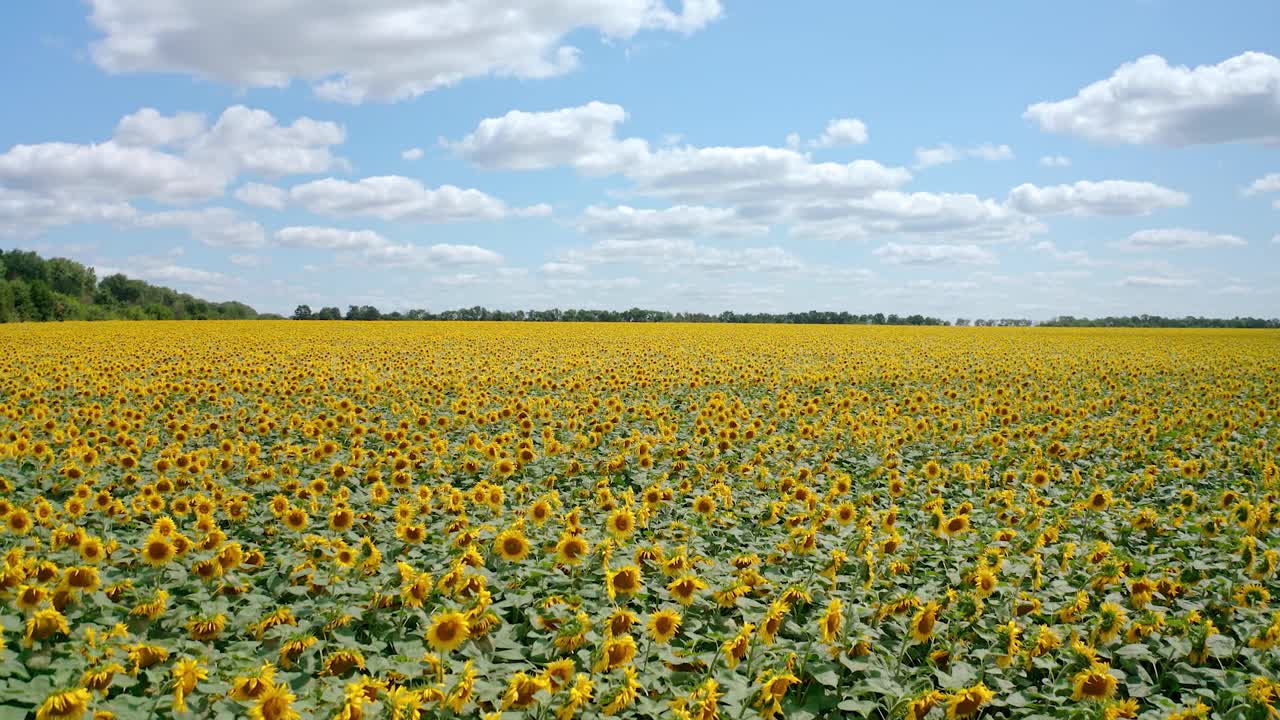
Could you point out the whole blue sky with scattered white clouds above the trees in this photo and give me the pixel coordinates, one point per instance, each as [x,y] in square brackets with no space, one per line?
[1003,160]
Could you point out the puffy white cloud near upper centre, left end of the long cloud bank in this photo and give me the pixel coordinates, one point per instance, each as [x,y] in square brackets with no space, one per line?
[583,138]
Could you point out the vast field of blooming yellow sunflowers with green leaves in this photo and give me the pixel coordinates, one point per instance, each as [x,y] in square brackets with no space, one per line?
[285,521]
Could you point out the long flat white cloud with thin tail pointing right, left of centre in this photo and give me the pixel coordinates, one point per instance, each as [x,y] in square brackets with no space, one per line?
[396,198]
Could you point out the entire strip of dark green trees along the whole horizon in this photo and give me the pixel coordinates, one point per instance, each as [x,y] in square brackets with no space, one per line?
[38,290]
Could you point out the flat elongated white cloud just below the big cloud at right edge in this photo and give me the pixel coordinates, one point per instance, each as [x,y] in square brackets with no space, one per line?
[1105,198]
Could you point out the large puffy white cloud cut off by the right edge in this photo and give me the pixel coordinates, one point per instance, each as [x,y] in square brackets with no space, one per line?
[1150,102]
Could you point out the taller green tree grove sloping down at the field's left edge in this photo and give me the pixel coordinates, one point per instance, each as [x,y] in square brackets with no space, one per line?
[35,290]
